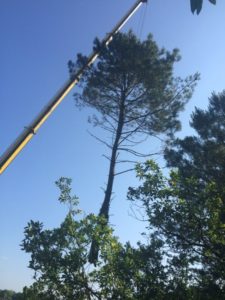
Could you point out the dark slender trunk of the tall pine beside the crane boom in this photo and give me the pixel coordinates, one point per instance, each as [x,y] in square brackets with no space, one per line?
[104,211]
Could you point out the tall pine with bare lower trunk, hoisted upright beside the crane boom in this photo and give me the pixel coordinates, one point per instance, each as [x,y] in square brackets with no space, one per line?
[133,89]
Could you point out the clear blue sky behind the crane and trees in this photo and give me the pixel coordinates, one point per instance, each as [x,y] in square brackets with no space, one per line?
[37,40]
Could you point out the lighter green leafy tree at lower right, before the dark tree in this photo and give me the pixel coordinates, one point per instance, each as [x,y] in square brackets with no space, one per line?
[186,218]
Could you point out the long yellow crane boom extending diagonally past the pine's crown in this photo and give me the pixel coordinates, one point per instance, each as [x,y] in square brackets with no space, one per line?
[27,134]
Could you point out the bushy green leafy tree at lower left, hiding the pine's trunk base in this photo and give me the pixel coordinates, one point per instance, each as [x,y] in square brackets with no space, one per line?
[59,259]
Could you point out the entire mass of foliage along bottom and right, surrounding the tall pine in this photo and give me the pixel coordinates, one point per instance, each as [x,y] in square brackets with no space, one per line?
[183,256]
